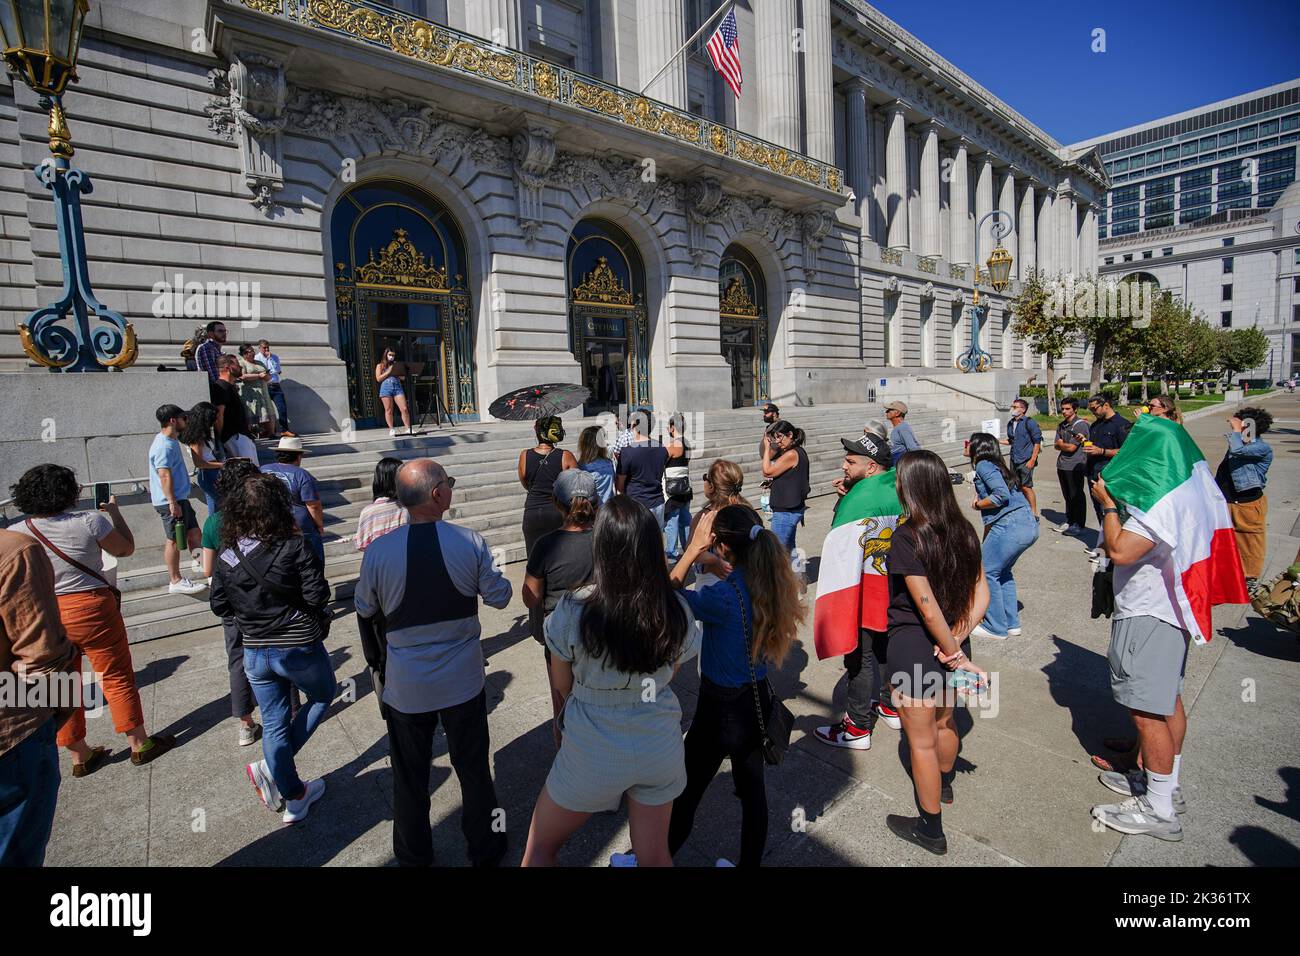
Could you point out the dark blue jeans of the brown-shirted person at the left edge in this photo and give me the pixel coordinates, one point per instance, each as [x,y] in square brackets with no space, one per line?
[29,791]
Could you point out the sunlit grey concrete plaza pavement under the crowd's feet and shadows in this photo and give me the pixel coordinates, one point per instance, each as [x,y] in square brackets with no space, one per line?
[1024,790]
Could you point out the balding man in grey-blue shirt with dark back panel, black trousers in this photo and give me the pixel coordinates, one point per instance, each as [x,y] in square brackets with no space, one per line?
[418,613]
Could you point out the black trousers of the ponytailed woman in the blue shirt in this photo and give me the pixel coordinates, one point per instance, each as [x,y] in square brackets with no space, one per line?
[726,725]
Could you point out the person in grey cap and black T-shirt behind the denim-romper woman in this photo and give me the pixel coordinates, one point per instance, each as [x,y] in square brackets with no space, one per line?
[562,561]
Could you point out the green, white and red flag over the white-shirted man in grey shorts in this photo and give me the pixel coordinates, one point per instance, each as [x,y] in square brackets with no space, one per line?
[1164,481]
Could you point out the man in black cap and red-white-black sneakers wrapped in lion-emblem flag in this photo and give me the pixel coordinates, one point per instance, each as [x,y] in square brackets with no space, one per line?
[853,587]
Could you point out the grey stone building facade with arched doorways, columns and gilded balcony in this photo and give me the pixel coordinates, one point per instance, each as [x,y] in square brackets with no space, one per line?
[482,187]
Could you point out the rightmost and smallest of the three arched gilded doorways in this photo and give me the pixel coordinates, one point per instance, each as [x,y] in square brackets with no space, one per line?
[743,327]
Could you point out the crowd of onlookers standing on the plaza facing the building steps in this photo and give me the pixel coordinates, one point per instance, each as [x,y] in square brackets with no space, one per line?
[625,586]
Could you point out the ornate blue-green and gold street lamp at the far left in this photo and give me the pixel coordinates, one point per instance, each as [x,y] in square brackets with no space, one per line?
[41,44]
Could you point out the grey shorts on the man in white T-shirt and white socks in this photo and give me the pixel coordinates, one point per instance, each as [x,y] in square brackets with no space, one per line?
[1147,657]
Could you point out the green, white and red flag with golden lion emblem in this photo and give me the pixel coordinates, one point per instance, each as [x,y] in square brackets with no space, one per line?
[853,585]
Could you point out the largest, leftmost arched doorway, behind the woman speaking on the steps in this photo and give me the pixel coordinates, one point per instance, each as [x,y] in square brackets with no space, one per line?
[401,284]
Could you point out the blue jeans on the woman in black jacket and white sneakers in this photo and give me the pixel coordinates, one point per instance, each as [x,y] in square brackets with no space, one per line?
[274,673]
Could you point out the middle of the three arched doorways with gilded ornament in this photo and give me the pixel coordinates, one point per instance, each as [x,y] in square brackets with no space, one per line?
[609,328]
